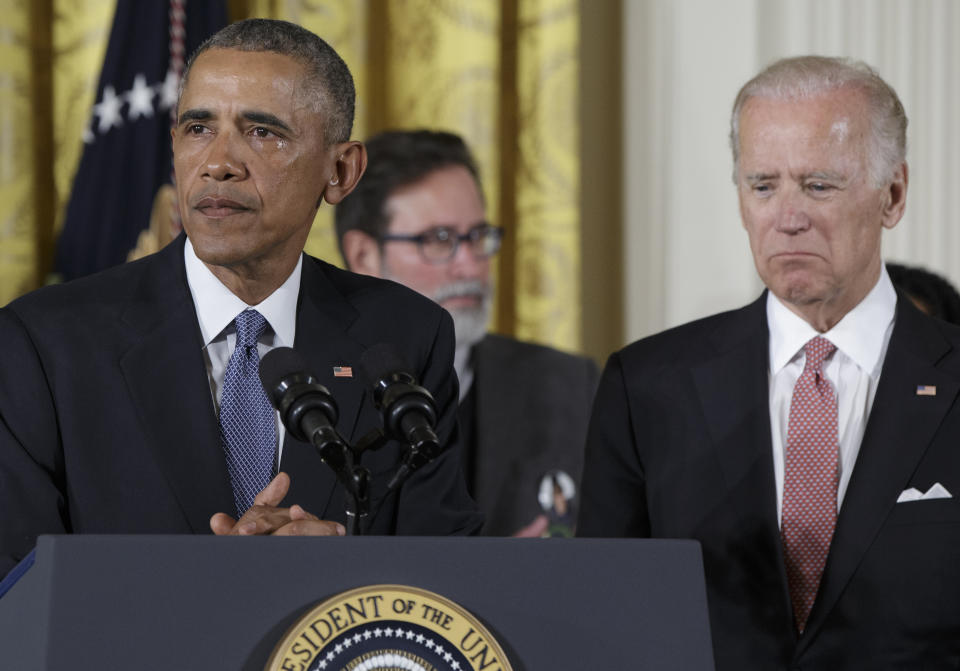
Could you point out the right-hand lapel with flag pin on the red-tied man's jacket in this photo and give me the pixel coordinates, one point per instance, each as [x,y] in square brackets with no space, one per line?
[899,430]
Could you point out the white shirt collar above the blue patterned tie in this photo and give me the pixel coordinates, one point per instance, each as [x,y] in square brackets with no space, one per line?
[217,306]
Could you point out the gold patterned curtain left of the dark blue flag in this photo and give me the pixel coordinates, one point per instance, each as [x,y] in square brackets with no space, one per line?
[50,57]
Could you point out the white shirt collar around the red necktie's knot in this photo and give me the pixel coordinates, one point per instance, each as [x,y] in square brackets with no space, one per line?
[860,335]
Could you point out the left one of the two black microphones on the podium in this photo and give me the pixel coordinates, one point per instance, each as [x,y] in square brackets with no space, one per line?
[307,409]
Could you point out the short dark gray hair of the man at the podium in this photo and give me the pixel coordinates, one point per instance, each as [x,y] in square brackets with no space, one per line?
[328,78]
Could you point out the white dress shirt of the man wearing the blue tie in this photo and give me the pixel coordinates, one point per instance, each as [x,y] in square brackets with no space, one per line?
[216,309]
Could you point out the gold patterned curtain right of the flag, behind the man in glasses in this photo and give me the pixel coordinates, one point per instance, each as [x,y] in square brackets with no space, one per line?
[505,76]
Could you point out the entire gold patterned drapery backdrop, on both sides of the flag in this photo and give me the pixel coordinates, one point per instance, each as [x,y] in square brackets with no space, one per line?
[504,74]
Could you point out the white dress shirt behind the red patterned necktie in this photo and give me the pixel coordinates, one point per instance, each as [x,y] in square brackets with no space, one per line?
[861,339]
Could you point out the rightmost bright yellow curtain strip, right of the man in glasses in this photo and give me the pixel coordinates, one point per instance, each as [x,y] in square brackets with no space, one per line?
[546,276]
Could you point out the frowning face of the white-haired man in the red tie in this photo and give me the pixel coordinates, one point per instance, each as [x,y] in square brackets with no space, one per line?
[812,212]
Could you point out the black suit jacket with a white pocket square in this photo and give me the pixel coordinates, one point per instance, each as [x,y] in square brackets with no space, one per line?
[680,447]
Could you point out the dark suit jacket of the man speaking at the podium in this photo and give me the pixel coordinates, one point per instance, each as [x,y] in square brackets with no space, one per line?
[107,423]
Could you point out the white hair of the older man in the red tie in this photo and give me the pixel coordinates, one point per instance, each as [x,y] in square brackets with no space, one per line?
[809,76]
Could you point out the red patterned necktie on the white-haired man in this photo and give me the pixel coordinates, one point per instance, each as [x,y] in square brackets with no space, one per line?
[810,480]
